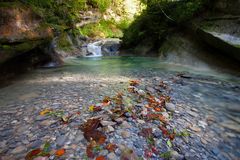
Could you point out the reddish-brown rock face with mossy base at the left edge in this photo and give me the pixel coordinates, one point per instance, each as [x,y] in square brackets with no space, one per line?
[21,30]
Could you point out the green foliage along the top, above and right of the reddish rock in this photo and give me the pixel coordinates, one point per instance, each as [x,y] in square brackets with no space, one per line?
[65,12]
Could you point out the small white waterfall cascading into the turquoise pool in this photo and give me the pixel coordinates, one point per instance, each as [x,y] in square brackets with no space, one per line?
[95,49]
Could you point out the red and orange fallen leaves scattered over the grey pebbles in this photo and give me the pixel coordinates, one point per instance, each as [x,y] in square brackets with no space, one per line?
[138,103]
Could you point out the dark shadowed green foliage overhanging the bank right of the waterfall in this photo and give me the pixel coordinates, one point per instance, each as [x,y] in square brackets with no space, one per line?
[159,17]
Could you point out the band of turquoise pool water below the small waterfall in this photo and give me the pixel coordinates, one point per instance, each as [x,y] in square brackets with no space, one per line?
[126,65]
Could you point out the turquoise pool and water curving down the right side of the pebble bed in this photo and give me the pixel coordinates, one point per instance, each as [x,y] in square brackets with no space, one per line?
[214,92]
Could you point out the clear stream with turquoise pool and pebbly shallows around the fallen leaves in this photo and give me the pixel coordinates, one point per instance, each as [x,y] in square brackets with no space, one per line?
[207,105]
